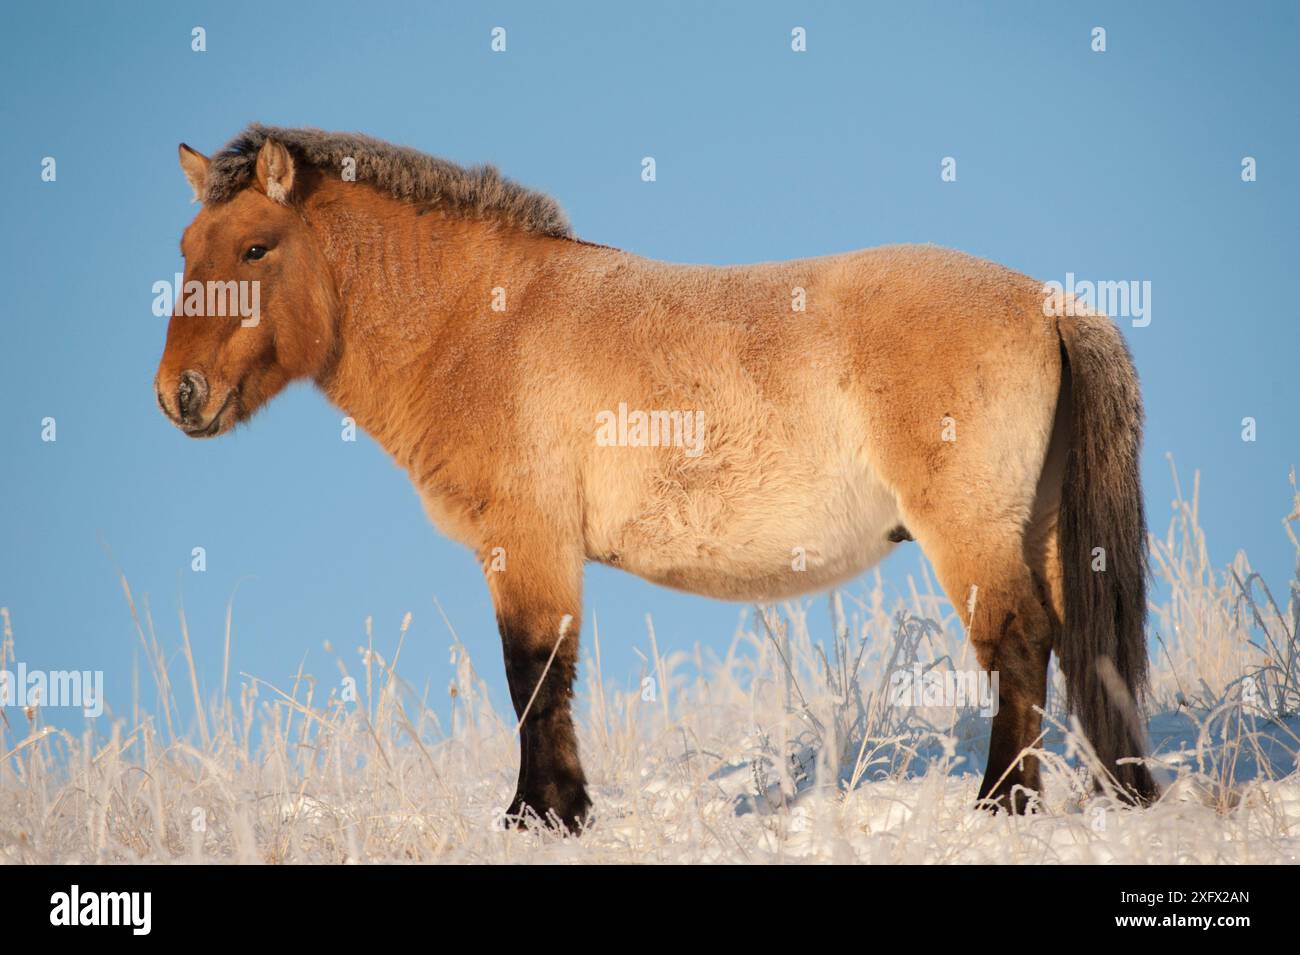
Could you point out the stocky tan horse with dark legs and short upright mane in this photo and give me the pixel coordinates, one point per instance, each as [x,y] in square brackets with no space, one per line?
[558,402]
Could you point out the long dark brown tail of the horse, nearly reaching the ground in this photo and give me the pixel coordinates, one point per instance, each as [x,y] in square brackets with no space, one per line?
[1103,643]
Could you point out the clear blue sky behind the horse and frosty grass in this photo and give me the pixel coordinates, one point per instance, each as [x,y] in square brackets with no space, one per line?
[1116,166]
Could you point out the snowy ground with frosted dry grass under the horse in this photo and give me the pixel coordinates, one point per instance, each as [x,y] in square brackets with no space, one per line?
[787,749]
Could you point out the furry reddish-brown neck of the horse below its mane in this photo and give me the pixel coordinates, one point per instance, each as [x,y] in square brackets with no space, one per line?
[415,293]
